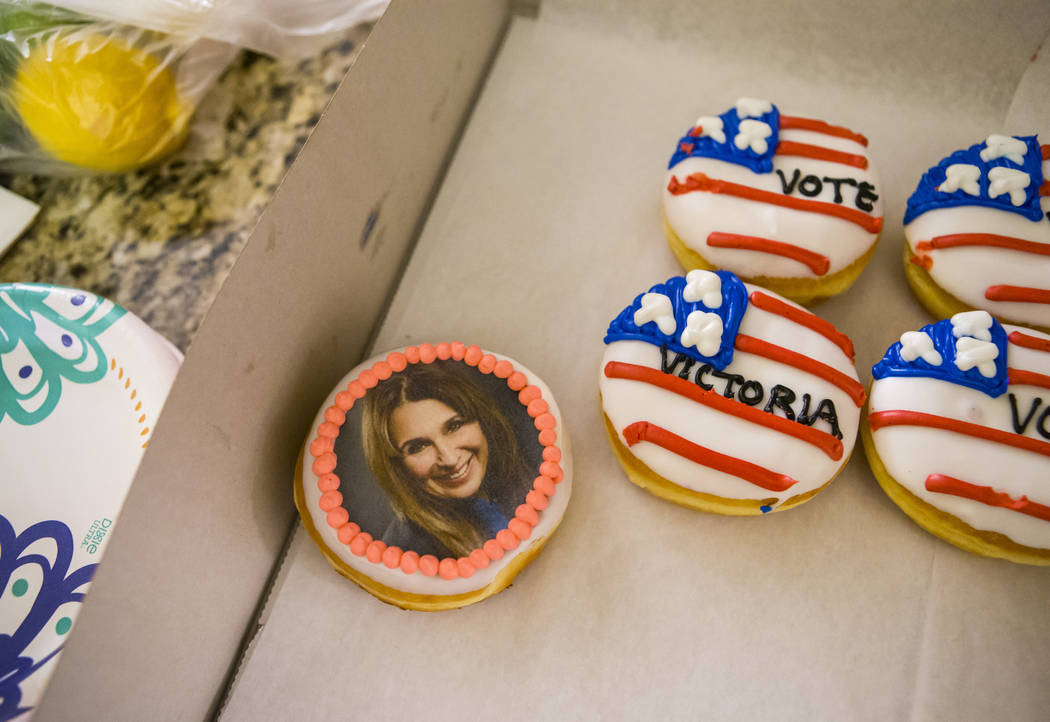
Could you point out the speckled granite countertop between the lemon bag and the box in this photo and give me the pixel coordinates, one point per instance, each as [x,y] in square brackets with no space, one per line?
[160,242]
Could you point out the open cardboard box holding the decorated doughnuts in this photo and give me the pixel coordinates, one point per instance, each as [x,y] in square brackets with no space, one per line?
[545,226]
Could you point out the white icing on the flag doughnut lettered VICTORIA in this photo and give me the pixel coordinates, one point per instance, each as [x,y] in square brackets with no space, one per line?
[626,402]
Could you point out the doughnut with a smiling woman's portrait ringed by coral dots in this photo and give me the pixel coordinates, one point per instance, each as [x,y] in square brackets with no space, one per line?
[433,475]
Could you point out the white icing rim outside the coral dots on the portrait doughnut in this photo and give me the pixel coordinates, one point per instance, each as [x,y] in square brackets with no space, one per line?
[418,584]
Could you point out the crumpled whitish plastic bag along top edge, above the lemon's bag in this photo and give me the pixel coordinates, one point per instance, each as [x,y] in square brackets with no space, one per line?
[284,29]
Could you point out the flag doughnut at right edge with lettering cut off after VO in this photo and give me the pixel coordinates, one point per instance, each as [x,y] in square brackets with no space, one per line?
[958,434]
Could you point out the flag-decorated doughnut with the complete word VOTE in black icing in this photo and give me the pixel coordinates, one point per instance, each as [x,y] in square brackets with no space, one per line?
[785,202]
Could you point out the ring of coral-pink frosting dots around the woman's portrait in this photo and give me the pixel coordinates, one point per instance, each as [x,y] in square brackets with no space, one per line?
[527,516]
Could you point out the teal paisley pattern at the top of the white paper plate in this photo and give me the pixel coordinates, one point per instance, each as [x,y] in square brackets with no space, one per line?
[48,335]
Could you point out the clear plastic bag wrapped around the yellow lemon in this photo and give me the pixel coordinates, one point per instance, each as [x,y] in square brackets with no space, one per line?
[79,94]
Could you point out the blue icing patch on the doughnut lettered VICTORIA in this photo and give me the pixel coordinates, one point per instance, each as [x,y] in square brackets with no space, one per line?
[732,310]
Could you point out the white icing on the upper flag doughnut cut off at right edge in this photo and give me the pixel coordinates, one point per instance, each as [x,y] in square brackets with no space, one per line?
[967,272]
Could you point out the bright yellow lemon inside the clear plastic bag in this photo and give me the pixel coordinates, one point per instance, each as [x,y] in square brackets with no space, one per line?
[99,103]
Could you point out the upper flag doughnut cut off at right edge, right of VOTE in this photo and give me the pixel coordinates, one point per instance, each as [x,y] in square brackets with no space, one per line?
[979,235]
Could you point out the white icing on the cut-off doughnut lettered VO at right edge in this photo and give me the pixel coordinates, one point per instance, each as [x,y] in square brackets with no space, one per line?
[911,454]
